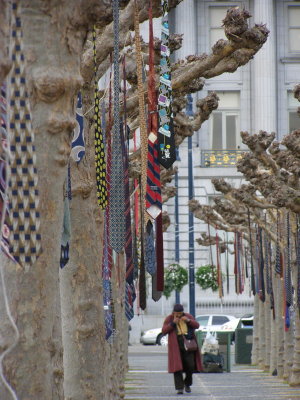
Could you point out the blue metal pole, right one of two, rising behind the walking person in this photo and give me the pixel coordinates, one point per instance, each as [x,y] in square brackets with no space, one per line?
[189,111]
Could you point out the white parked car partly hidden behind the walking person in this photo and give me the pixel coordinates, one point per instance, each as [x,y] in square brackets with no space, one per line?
[208,321]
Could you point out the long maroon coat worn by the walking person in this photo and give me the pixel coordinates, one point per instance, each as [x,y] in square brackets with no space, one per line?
[174,359]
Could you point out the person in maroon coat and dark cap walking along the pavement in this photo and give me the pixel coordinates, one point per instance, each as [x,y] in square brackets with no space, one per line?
[179,325]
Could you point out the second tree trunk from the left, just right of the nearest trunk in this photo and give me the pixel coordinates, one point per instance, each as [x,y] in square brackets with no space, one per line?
[81,302]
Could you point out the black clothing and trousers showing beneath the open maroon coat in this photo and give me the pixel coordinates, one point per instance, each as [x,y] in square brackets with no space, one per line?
[188,364]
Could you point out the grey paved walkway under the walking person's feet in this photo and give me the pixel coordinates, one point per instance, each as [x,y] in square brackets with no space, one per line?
[147,379]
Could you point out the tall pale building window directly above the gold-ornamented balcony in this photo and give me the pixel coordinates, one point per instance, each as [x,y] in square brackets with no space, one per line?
[224,123]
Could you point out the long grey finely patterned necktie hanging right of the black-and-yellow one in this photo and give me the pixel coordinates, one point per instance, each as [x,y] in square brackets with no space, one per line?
[117,223]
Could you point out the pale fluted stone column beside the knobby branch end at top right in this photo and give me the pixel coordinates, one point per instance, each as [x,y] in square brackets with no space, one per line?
[264,72]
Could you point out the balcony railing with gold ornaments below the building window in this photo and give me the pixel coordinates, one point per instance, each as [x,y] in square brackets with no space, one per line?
[220,158]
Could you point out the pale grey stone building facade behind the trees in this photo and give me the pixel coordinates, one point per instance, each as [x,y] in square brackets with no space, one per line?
[258,96]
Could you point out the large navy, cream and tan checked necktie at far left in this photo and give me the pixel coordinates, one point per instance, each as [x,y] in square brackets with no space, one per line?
[24,217]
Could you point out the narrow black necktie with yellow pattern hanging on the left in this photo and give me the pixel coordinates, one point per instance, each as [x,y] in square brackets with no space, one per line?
[99,143]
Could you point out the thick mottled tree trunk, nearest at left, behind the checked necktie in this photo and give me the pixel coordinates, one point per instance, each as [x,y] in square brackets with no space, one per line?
[53,78]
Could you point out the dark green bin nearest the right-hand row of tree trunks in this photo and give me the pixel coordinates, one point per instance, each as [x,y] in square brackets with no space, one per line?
[243,345]
